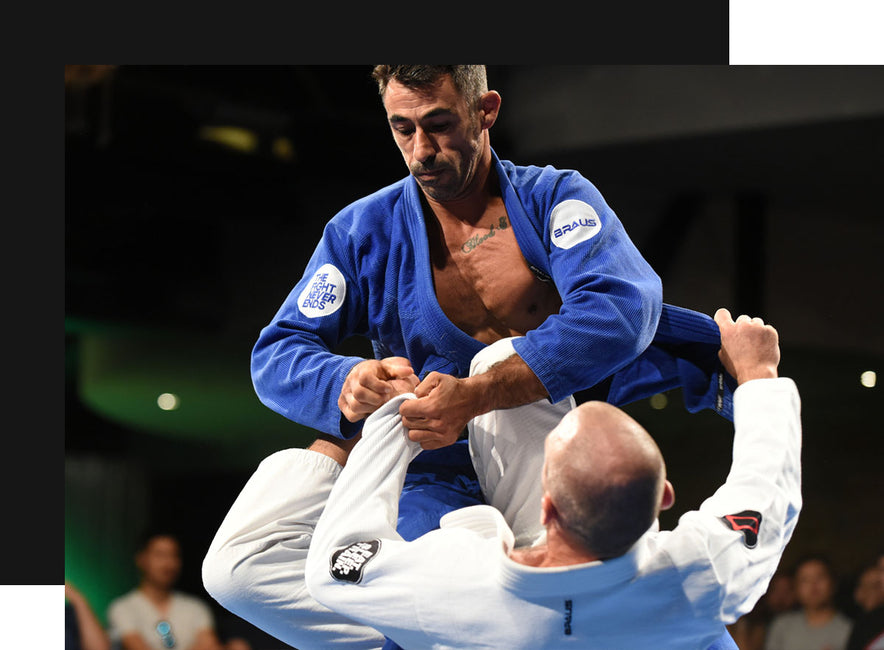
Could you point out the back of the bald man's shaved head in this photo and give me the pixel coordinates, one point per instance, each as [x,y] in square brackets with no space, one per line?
[605,476]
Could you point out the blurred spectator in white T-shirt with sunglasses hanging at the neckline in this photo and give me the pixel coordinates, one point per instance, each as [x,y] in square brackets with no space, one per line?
[156,616]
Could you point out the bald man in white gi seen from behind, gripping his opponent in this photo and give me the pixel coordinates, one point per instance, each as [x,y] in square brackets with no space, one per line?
[599,575]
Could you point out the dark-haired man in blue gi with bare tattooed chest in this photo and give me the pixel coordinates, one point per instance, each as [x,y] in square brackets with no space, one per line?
[467,250]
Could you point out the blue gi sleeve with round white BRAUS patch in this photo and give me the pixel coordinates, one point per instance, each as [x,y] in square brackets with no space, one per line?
[611,297]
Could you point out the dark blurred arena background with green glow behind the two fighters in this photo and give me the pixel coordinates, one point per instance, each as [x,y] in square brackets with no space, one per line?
[195,194]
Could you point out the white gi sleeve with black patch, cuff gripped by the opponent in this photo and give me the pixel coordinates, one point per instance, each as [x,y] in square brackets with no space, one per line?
[358,564]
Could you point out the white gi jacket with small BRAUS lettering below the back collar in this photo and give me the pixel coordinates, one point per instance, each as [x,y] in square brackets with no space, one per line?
[456,586]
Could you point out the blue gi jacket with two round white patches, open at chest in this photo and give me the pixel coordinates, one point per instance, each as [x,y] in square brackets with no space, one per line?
[370,275]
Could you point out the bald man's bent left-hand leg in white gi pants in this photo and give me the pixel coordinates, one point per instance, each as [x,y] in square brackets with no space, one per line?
[255,564]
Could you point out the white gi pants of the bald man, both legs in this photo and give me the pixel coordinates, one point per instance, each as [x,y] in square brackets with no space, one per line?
[255,564]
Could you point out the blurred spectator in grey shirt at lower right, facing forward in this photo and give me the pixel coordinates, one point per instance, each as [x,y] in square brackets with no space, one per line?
[817,625]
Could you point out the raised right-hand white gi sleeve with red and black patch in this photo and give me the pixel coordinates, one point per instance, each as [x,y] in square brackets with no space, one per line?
[728,550]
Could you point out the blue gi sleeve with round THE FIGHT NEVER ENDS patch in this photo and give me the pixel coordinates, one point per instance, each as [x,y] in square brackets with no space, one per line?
[294,369]
